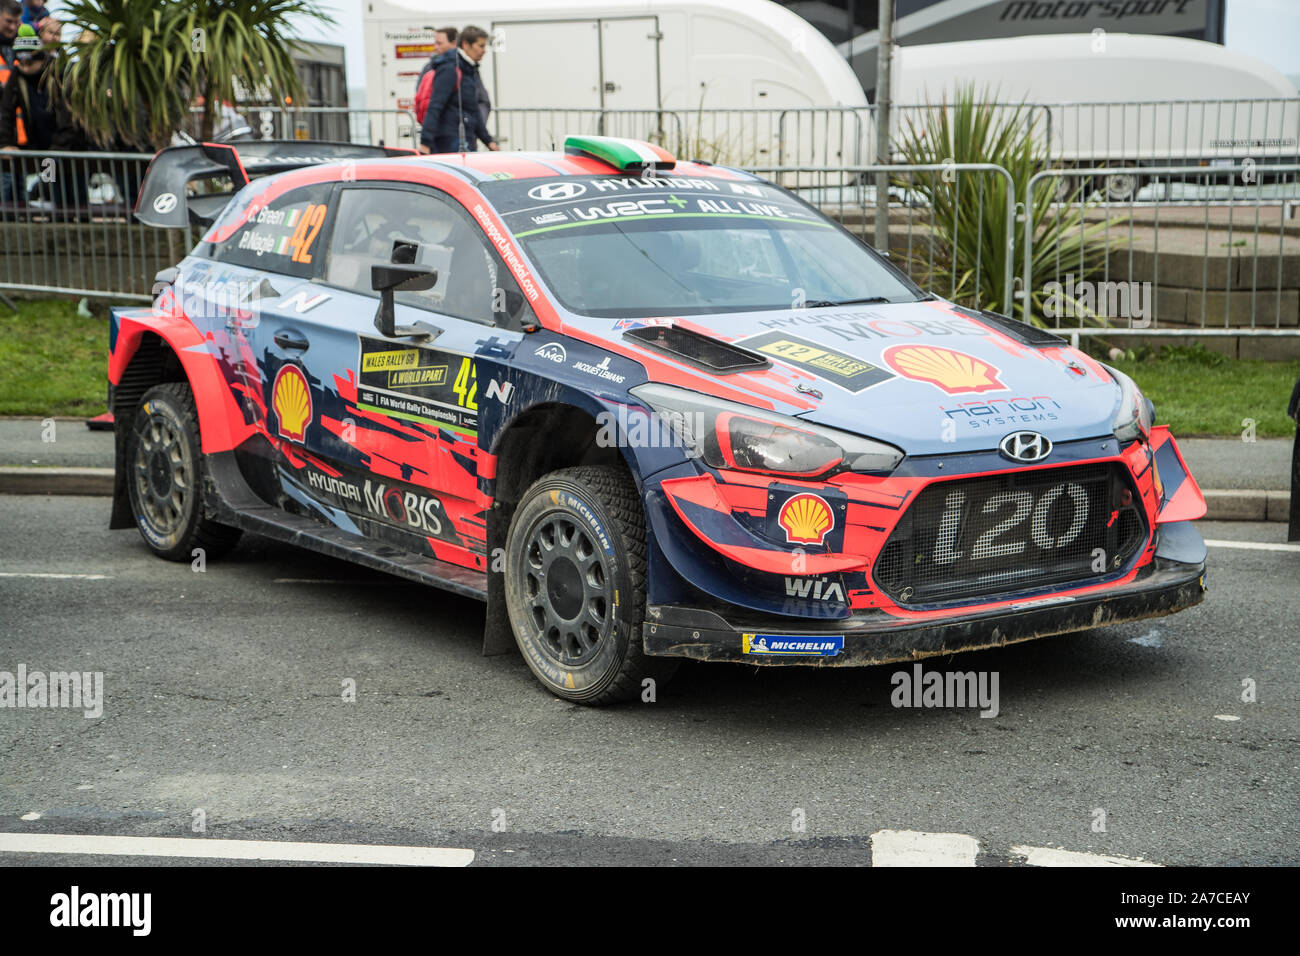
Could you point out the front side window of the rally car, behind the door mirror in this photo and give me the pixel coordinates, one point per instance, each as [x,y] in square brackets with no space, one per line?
[371,220]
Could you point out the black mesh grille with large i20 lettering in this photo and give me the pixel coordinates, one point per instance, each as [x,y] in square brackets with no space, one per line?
[985,538]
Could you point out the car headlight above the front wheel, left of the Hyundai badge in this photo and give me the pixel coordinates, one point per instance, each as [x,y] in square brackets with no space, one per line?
[729,435]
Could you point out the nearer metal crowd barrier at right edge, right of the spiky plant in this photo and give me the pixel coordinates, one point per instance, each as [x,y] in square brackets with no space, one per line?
[1197,249]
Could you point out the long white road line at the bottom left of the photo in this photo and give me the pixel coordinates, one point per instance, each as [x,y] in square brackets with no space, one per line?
[235,850]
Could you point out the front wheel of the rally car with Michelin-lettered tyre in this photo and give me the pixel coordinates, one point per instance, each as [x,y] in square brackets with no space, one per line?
[575,586]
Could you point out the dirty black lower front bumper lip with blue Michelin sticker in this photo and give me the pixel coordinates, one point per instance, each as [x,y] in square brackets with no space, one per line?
[1173,582]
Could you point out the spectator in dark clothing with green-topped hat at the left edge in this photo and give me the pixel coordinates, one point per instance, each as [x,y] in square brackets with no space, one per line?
[32,118]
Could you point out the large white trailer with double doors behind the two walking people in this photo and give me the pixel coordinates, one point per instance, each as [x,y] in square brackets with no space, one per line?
[723,80]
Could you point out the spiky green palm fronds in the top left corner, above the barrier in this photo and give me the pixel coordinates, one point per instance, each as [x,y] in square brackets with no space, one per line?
[138,67]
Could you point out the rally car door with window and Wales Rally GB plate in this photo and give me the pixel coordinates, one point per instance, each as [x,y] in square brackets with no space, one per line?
[393,453]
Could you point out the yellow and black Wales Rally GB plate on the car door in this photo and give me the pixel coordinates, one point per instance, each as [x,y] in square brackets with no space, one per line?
[426,386]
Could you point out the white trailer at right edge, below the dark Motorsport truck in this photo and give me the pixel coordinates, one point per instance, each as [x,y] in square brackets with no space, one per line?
[1119,98]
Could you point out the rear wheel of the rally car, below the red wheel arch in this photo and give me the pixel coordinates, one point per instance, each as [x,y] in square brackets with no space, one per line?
[164,478]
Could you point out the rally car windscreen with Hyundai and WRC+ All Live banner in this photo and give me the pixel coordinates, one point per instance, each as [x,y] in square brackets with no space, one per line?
[638,248]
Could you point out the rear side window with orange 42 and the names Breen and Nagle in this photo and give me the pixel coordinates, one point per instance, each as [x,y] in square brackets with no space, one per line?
[281,236]
